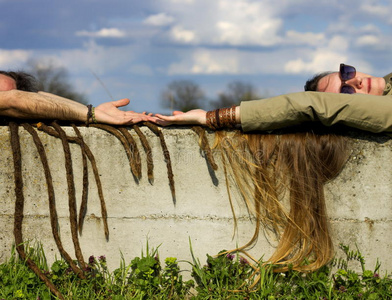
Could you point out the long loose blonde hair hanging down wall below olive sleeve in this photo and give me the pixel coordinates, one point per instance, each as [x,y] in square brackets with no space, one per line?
[267,168]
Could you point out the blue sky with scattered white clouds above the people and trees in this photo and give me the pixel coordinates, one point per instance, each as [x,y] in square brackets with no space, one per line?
[137,47]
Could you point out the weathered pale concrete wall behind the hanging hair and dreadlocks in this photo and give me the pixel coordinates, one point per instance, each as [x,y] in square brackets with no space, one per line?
[359,200]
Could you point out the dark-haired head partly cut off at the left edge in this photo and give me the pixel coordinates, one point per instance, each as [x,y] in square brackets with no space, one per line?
[17,80]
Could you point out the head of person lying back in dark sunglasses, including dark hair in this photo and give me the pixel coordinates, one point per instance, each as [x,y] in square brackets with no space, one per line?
[347,79]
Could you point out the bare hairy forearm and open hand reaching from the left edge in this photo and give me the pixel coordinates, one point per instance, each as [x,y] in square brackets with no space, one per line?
[27,105]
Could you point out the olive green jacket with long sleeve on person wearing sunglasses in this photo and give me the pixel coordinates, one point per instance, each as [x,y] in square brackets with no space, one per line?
[362,111]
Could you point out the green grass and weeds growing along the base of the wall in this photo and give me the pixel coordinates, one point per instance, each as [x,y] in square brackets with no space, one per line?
[227,276]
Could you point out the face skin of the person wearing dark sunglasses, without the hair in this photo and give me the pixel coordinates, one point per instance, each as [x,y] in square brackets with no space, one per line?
[362,83]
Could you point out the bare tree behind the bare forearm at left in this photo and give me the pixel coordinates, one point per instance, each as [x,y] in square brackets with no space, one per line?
[54,79]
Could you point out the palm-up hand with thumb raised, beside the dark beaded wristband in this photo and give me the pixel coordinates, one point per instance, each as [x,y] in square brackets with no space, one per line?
[109,113]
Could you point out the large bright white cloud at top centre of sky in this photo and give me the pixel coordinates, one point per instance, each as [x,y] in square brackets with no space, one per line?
[224,22]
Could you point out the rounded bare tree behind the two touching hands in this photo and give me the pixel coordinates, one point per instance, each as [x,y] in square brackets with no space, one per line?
[182,95]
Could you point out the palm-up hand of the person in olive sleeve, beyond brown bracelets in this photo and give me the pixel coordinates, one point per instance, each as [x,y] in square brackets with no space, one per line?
[192,117]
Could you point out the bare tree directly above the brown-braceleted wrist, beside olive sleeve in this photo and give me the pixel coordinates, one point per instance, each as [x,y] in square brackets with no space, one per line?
[237,91]
